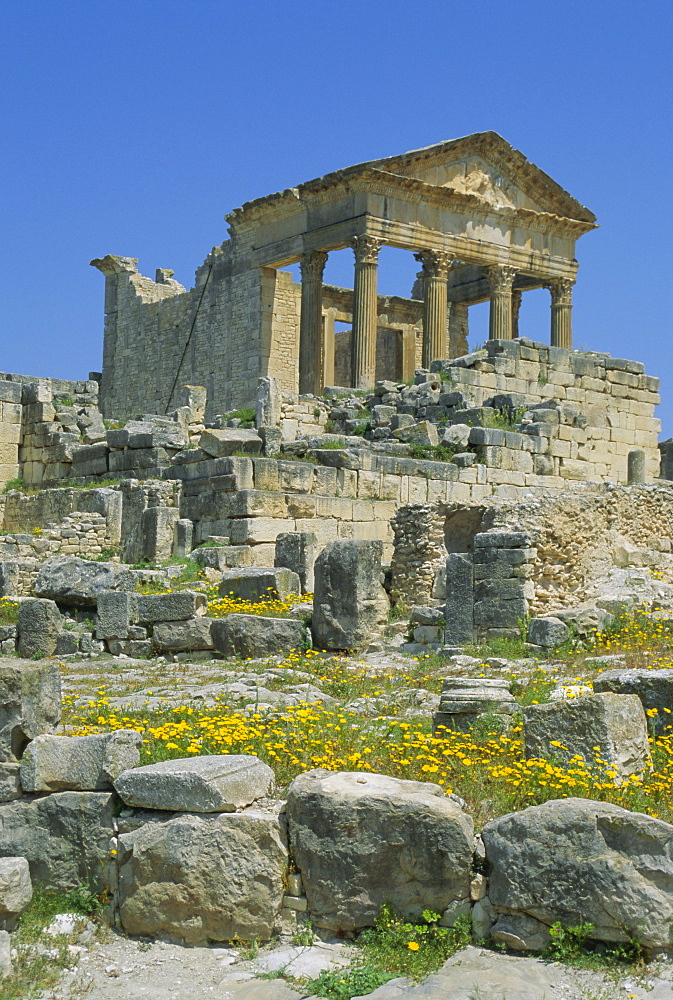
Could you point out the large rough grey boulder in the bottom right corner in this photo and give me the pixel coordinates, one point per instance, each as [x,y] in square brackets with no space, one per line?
[578,861]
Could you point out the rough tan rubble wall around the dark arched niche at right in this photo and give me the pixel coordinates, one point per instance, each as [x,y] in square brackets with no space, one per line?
[592,541]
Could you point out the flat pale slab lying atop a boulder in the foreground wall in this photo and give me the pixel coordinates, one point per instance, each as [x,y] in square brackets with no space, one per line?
[219,783]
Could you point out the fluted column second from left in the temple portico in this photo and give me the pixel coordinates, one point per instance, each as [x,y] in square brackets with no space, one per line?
[363,339]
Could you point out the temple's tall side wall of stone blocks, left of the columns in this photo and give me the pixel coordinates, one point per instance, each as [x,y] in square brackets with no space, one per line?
[238,323]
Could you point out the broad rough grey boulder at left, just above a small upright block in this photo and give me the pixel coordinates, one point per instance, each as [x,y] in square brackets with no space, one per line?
[78,582]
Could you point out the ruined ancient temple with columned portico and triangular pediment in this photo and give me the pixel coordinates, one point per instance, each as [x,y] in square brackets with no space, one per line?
[484,223]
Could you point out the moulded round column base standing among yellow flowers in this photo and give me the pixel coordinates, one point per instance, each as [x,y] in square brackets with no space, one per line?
[464,699]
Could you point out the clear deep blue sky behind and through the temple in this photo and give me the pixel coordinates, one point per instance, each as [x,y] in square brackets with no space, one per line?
[131,128]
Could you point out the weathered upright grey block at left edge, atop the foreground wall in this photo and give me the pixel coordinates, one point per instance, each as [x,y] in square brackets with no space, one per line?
[30,704]
